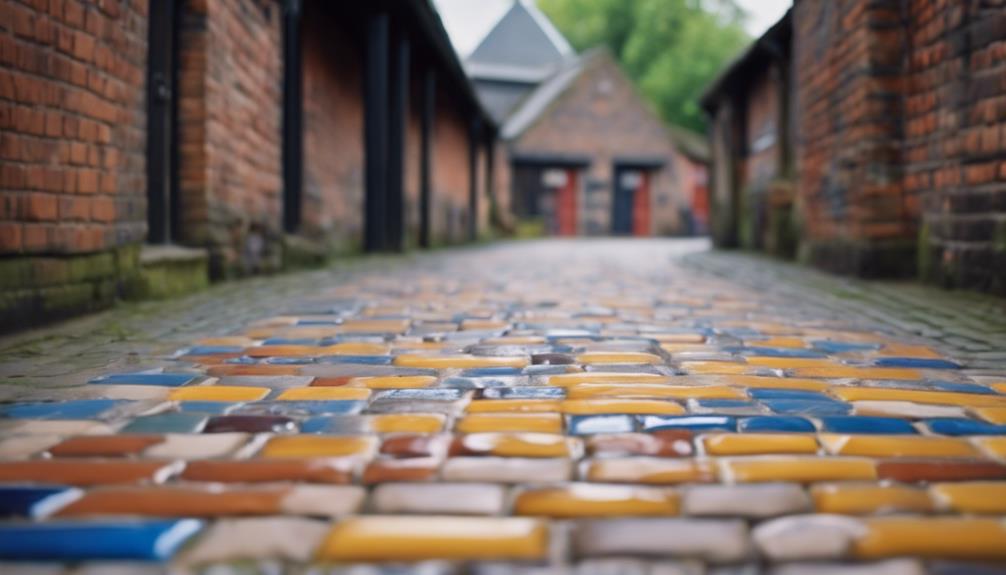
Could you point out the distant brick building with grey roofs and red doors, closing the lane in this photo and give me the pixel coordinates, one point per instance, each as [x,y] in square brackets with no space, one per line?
[587,155]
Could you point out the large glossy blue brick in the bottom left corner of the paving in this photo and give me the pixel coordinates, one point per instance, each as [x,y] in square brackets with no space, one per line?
[96,540]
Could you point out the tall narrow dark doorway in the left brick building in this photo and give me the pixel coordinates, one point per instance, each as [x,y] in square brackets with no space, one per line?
[162,197]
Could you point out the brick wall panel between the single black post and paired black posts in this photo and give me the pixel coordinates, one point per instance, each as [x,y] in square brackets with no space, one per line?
[333,133]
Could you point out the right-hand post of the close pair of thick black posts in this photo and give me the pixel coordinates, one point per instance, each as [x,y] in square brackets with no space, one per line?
[398,120]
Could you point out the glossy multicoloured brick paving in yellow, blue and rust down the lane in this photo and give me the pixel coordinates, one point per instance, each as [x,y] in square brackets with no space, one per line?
[523,417]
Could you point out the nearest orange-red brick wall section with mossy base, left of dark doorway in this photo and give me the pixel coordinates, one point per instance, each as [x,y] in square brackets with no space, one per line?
[72,153]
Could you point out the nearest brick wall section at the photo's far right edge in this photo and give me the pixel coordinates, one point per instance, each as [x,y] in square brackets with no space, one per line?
[955,141]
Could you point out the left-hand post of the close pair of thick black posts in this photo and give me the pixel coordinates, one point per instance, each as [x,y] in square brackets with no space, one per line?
[376,101]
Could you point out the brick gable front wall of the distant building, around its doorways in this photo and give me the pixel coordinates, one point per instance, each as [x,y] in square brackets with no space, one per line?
[601,116]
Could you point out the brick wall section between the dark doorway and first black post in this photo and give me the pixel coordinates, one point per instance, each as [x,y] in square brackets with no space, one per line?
[230,127]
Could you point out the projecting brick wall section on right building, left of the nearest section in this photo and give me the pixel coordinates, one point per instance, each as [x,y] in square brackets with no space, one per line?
[857,217]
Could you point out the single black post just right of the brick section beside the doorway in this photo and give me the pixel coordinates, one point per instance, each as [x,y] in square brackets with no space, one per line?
[293,118]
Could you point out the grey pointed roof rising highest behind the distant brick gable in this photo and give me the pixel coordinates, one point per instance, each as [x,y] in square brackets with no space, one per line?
[524,43]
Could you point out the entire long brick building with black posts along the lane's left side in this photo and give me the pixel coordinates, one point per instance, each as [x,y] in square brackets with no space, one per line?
[257,132]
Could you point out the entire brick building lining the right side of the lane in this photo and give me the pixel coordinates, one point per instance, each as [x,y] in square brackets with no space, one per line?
[870,137]
